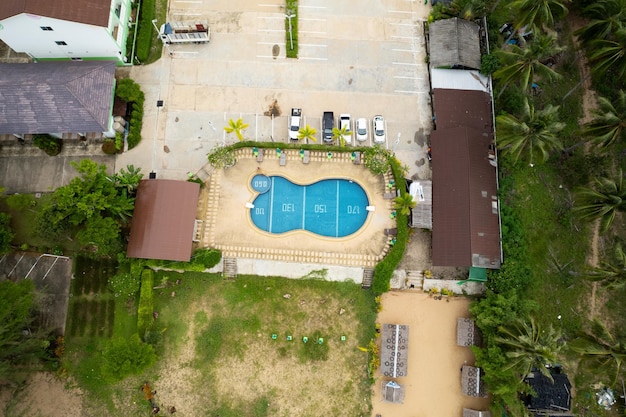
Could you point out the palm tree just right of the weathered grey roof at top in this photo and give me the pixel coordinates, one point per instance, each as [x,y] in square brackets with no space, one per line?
[522,64]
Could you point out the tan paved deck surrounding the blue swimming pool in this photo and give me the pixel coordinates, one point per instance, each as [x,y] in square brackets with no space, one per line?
[227,225]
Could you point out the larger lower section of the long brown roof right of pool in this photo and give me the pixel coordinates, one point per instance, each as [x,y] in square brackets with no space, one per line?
[466,227]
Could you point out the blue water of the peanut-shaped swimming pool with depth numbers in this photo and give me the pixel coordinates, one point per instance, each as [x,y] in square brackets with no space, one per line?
[333,207]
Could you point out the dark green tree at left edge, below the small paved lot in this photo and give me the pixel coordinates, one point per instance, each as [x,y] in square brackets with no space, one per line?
[21,345]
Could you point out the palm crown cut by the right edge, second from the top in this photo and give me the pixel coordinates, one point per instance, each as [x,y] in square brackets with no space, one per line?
[609,55]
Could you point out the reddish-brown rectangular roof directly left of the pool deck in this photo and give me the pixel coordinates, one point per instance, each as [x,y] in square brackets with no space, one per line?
[163,221]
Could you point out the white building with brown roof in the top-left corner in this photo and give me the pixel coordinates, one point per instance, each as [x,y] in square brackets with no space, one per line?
[67,29]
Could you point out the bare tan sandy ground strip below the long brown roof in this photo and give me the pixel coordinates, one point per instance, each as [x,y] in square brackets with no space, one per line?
[433,384]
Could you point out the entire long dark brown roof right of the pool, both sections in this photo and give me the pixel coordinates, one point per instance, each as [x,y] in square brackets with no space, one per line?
[466,225]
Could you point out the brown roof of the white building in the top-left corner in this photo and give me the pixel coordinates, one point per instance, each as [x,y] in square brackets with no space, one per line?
[91,12]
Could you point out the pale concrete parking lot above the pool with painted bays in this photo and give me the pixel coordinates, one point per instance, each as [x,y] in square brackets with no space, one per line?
[363,58]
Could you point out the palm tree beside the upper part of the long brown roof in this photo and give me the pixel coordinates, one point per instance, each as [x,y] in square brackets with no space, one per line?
[535,132]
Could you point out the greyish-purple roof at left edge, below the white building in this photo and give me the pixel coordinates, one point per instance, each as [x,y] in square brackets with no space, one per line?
[56,97]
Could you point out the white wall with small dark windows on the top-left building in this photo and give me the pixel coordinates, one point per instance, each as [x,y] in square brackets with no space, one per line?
[23,33]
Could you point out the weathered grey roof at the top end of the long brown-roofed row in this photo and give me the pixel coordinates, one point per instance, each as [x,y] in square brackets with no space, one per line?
[454,43]
